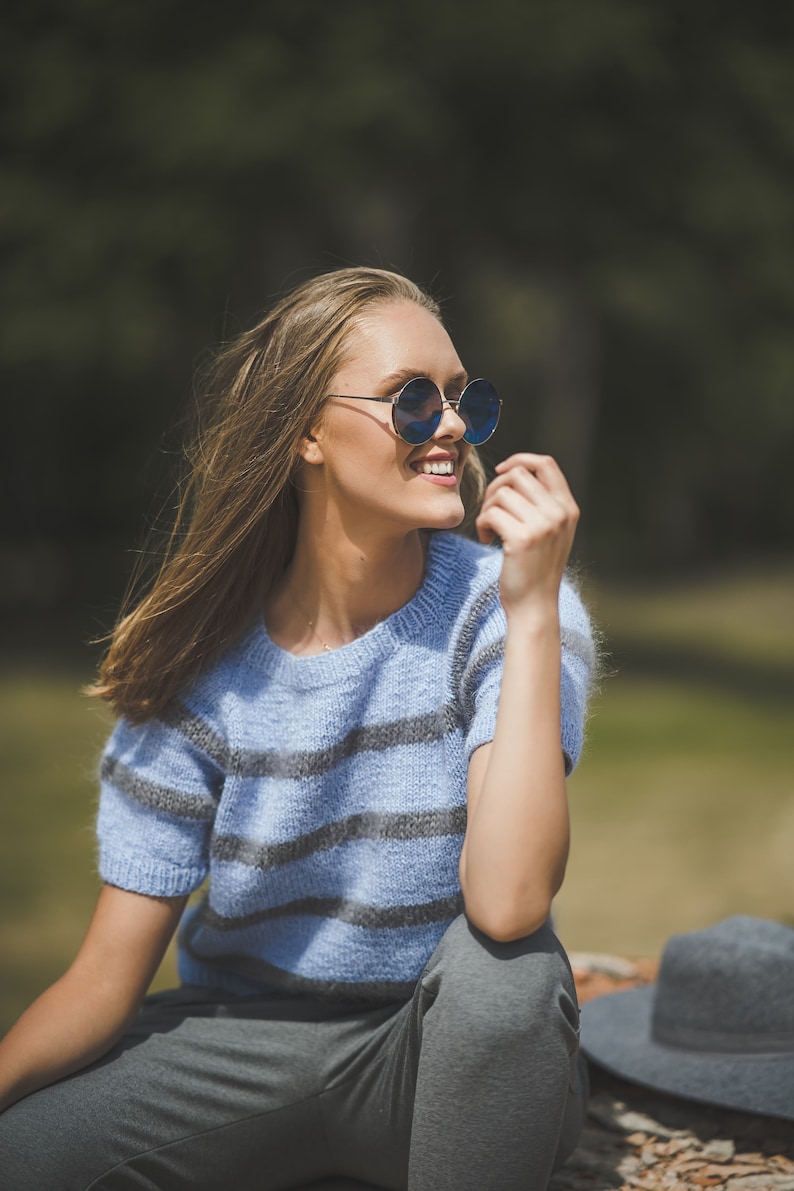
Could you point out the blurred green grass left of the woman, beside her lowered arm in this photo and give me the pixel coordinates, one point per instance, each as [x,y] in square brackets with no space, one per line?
[51,741]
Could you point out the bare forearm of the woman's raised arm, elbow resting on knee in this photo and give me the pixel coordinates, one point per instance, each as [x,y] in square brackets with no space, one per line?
[517,839]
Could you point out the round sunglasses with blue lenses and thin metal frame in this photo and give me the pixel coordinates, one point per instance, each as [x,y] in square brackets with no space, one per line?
[418,409]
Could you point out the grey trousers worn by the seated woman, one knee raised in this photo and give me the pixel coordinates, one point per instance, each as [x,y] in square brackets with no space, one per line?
[474,1084]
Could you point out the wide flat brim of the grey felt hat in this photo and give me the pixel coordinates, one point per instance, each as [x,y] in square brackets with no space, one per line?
[617,1036]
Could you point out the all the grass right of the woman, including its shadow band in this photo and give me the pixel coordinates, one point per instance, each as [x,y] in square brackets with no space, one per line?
[683,810]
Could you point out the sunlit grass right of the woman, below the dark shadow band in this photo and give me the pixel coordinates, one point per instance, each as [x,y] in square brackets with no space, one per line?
[683,814]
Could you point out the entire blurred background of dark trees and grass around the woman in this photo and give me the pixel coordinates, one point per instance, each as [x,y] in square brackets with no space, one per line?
[602,192]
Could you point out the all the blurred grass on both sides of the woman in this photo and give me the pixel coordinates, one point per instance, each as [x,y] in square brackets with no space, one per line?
[683,809]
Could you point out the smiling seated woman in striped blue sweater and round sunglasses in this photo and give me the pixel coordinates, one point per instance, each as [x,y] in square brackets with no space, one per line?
[358,726]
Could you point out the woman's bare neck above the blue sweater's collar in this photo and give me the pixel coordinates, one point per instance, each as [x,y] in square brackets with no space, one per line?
[334,593]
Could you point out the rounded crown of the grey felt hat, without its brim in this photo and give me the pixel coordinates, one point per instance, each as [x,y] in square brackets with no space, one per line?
[729,989]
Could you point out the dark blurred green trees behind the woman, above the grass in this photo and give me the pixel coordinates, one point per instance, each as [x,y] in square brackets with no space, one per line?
[603,191]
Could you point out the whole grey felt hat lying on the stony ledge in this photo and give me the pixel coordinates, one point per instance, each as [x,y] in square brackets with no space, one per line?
[717,1027]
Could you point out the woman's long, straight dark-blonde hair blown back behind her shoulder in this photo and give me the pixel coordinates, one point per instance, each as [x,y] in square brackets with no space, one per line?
[237,517]
